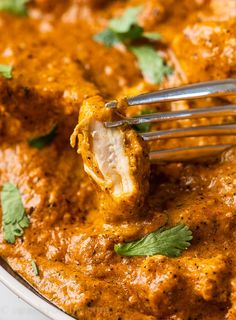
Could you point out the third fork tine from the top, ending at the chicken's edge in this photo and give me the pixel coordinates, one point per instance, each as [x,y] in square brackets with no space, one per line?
[211,130]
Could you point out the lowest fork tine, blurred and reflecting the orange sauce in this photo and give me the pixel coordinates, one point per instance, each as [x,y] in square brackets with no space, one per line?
[185,154]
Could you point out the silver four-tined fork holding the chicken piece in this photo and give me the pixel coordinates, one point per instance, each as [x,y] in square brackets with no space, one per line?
[217,88]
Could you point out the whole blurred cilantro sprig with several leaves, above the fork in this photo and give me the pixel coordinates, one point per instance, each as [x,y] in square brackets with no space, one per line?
[125,29]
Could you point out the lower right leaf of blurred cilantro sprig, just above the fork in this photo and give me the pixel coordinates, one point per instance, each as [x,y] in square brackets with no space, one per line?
[151,64]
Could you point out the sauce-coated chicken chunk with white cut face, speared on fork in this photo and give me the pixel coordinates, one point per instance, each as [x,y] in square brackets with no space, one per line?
[117,159]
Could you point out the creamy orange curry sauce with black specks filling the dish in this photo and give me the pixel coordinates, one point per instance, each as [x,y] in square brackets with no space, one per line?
[57,65]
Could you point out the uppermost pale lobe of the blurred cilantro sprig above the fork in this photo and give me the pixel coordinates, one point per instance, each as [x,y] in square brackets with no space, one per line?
[124,23]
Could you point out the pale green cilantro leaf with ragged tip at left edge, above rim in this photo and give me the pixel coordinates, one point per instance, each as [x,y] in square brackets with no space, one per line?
[15,219]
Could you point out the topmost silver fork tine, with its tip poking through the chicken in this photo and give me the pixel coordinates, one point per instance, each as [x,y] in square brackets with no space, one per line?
[193,91]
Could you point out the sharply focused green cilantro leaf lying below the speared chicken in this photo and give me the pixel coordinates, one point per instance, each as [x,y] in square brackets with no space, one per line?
[168,242]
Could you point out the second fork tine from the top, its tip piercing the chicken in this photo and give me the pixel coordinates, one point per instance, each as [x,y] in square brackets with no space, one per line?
[220,111]
